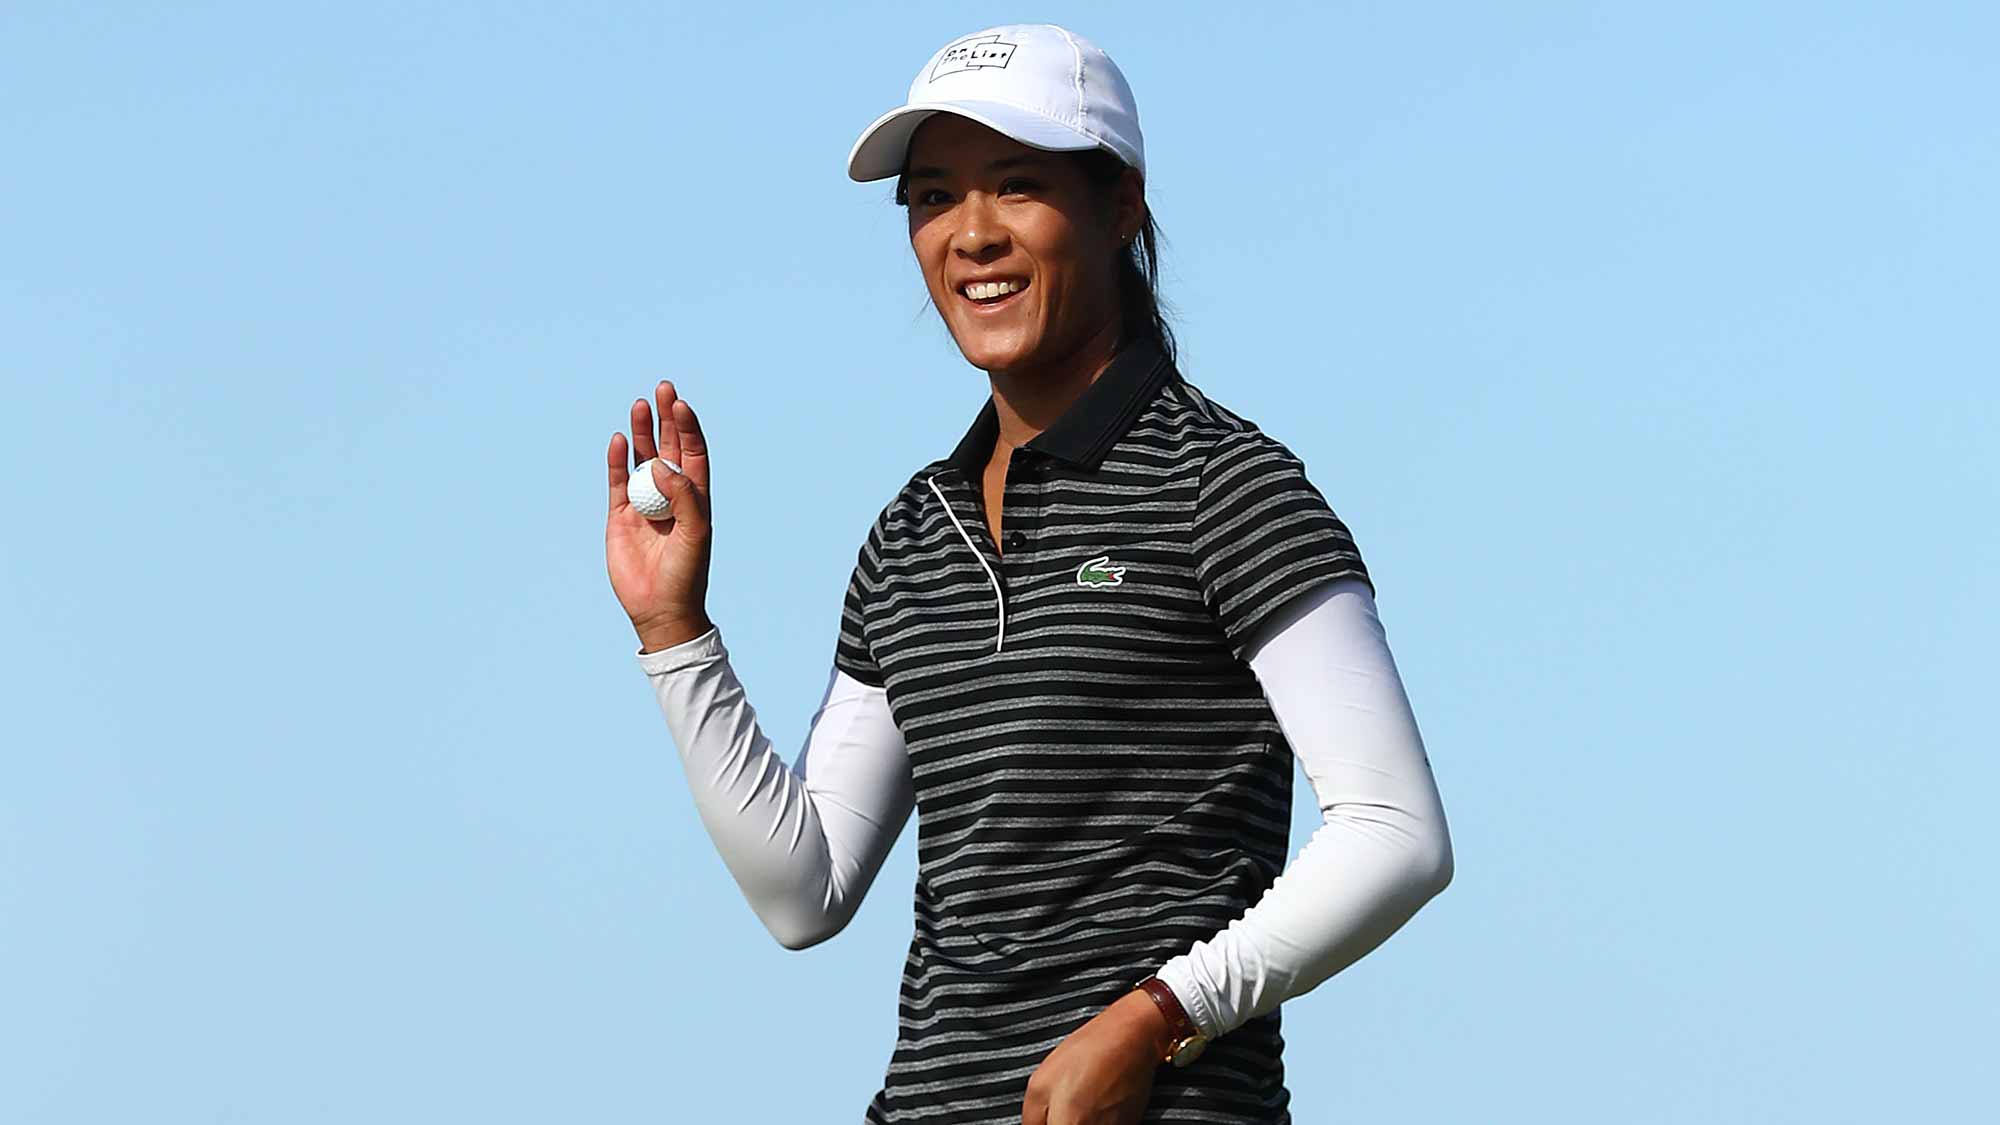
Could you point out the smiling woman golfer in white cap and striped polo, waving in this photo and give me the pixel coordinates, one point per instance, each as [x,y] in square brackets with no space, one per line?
[1085,648]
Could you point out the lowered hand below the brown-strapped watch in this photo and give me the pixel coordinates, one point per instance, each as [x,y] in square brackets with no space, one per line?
[1103,1072]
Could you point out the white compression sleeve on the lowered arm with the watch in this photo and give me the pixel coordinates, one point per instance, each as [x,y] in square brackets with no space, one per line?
[1381,850]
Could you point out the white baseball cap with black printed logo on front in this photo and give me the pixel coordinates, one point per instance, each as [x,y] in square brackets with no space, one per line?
[1037,83]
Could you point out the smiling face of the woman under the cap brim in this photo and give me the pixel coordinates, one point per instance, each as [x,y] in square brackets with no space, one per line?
[1027,231]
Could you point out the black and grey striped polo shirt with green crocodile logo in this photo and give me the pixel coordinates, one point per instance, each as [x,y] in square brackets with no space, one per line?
[1099,776]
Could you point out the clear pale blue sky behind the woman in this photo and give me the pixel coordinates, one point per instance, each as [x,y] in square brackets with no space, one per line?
[1649,353]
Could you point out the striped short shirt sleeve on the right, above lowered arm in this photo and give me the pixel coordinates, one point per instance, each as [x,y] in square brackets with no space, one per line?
[1263,533]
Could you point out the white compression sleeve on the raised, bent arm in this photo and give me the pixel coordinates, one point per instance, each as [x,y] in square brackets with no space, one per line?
[803,842]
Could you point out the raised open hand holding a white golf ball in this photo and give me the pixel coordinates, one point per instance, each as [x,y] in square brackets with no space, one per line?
[659,570]
